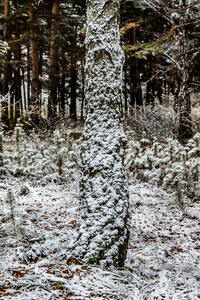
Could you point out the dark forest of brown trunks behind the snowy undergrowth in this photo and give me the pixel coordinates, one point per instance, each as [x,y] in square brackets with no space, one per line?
[42,72]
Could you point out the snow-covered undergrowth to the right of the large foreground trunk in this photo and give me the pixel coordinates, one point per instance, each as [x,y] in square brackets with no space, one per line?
[170,165]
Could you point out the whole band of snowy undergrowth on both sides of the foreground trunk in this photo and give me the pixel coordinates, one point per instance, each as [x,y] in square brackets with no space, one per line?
[170,165]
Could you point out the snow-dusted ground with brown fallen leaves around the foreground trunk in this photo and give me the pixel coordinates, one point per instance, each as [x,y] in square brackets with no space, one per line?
[163,259]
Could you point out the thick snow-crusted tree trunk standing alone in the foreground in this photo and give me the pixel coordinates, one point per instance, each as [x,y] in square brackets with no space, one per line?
[103,229]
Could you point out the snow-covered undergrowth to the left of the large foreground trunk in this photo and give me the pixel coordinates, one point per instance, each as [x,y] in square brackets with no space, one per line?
[50,159]
